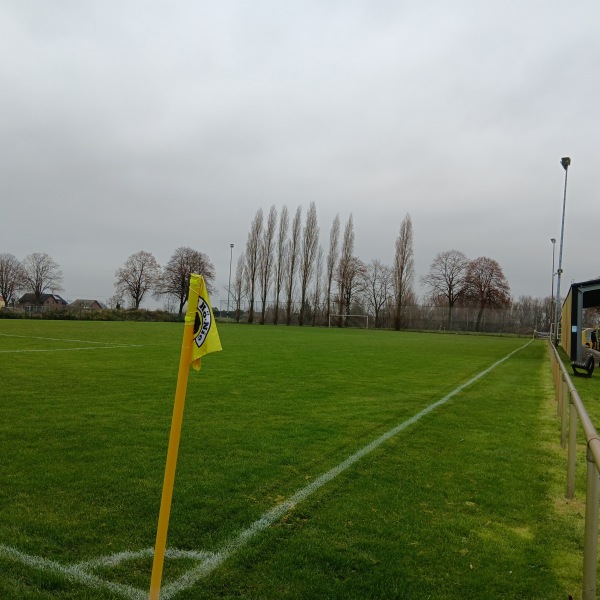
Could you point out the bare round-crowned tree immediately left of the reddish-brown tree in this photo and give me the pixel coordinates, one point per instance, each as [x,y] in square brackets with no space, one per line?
[446,278]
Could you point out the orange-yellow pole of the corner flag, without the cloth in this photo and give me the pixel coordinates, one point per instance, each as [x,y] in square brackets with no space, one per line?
[169,480]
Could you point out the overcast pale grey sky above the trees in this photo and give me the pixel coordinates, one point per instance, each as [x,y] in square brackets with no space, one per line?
[146,125]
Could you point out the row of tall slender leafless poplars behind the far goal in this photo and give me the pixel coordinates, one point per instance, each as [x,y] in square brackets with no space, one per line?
[286,260]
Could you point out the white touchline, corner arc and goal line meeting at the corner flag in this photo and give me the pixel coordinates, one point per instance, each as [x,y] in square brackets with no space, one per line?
[209,561]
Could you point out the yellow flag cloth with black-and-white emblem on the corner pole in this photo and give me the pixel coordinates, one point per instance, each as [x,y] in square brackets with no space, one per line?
[199,312]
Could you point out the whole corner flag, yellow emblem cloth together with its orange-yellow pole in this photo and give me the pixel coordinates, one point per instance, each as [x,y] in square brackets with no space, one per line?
[200,337]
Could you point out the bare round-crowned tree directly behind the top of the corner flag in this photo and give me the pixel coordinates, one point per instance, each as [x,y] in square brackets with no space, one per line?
[174,280]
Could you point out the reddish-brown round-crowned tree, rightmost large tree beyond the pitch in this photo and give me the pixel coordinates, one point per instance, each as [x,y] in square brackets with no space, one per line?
[486,286]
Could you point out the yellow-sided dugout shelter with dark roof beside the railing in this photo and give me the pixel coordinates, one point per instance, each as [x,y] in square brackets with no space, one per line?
[581,295]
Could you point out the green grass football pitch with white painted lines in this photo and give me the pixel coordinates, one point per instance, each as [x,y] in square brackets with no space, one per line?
[465,501]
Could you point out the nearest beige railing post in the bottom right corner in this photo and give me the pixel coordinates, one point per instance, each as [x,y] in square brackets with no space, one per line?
[590,542]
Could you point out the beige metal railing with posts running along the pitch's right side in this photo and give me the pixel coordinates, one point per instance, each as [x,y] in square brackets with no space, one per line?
[570,408]
